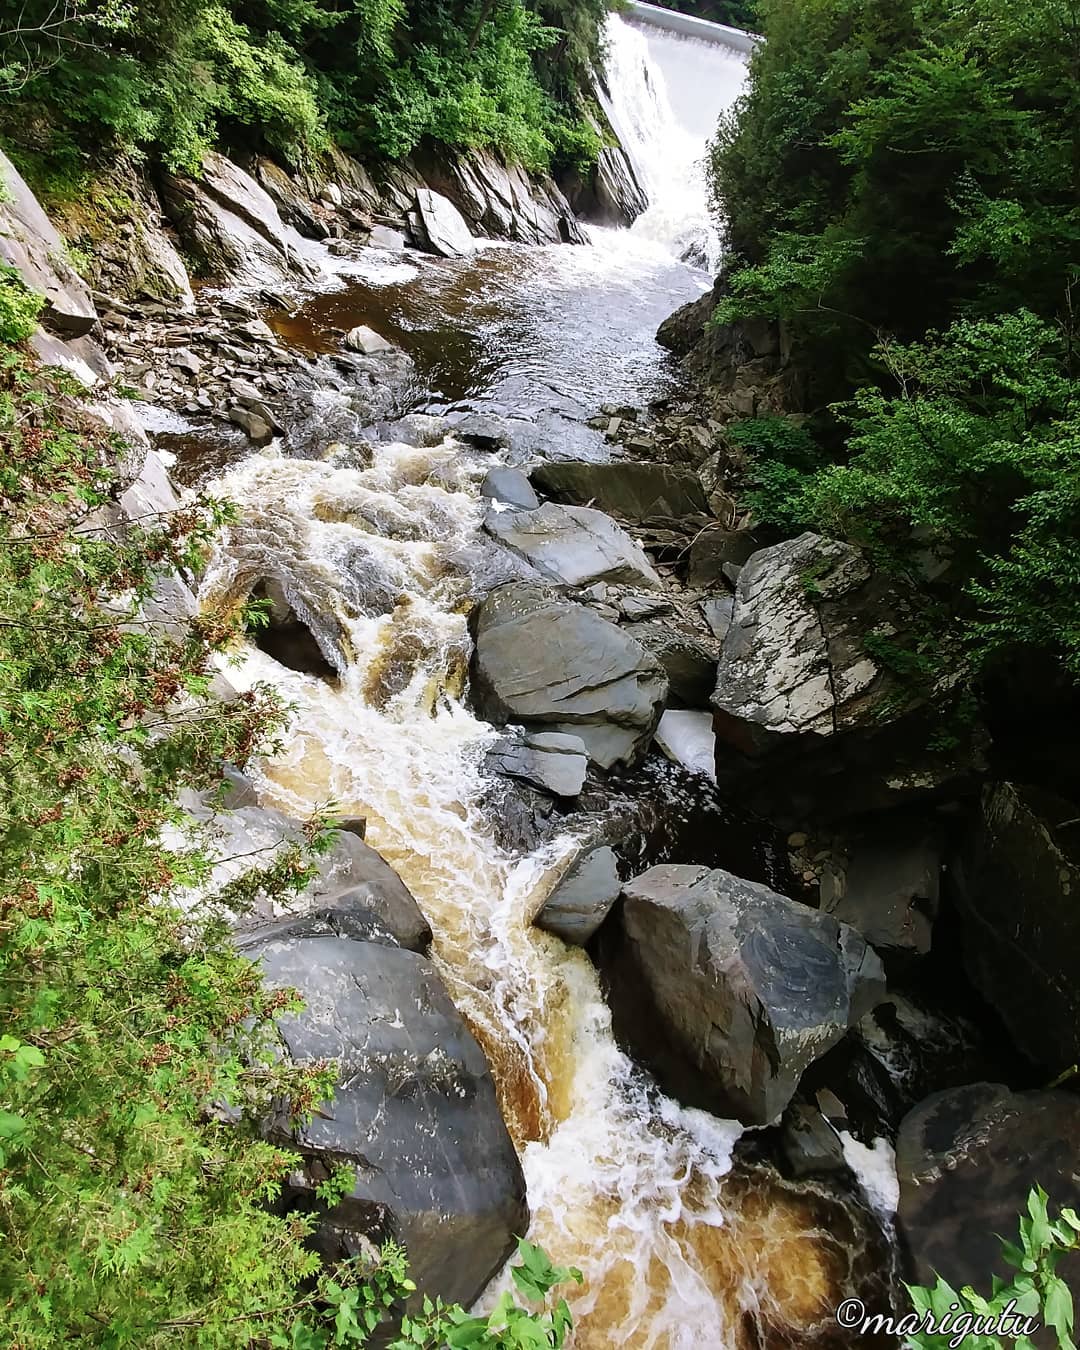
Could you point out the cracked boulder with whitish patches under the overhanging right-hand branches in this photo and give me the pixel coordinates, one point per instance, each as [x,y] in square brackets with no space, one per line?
[811,718]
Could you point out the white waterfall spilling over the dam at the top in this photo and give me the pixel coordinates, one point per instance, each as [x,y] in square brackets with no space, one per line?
[665,95]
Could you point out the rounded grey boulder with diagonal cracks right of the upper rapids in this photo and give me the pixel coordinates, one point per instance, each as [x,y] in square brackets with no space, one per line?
[556,665]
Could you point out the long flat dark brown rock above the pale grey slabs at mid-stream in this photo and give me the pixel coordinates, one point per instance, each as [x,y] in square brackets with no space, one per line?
[630,489]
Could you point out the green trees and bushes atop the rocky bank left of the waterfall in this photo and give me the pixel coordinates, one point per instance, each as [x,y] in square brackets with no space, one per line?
[381,76]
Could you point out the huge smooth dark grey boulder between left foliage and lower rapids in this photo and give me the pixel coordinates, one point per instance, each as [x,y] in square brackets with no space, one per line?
[414,1114]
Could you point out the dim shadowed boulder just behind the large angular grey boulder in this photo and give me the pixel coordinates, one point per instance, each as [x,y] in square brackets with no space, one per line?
[888,885]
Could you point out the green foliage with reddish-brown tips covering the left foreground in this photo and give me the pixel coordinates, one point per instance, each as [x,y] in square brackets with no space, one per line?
[140,1051]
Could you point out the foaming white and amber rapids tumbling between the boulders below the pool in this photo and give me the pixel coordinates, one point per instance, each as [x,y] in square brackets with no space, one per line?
[623,1182]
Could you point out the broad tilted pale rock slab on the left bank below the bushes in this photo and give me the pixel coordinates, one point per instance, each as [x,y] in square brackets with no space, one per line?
[233,226]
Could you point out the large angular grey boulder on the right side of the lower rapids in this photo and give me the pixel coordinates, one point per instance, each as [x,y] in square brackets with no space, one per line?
[730,992]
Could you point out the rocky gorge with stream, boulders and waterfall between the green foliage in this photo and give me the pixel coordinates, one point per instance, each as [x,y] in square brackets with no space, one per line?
[611,754]
